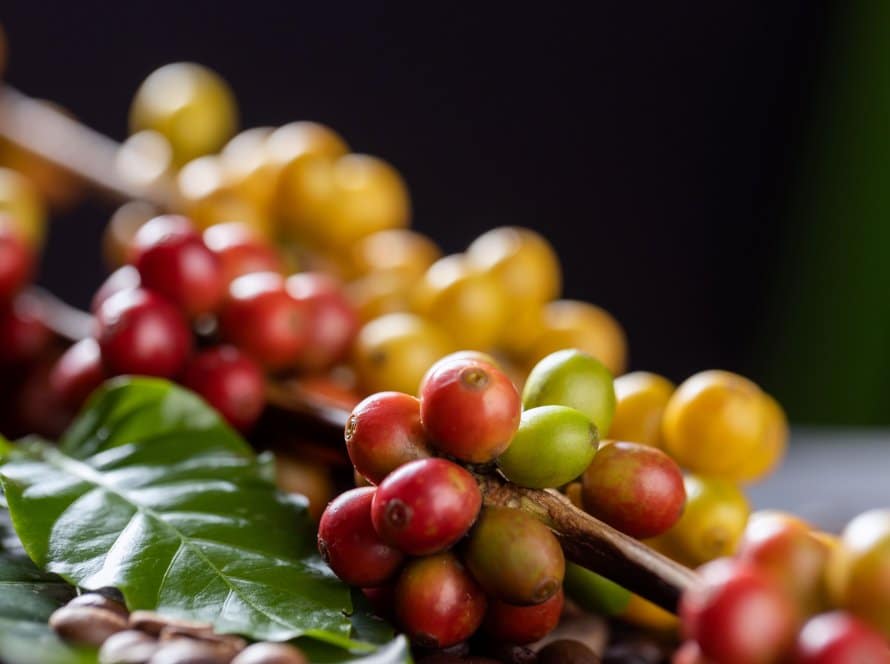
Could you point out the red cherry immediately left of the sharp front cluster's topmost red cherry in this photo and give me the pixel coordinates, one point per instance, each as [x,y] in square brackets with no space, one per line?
[384,432]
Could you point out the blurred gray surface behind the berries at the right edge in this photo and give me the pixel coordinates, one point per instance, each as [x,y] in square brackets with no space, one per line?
[829,476]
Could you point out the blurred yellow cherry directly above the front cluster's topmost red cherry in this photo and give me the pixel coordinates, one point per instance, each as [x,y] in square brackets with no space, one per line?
[470,306]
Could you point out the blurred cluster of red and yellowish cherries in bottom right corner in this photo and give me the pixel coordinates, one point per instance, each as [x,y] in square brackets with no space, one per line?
[792,594]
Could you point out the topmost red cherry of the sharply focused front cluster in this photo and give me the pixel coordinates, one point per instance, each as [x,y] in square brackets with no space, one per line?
[469,408]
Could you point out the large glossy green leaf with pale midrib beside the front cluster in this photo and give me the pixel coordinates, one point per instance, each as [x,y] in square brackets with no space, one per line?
[154,495]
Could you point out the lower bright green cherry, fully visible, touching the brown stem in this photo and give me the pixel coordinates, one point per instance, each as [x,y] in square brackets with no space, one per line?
[553,446]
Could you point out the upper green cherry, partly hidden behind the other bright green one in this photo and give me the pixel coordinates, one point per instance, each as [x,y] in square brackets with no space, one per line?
[575,379]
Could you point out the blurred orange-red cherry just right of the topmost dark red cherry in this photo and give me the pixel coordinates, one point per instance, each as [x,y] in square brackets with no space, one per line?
[240,250]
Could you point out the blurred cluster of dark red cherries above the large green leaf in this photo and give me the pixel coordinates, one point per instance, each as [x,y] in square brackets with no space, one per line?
[225,286]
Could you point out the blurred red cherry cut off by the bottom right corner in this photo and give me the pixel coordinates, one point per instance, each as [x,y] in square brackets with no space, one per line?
[840,638]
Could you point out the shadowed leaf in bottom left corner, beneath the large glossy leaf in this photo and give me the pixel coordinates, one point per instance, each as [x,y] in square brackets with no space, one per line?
[27,598]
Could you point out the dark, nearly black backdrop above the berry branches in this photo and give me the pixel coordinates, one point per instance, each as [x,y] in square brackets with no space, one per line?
[653,143]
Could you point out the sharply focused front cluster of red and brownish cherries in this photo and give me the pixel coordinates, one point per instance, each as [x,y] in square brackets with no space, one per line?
[421,535]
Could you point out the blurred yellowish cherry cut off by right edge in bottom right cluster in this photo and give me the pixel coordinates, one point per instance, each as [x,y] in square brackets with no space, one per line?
[859,569]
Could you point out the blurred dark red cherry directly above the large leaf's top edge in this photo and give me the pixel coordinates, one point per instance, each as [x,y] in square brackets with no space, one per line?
[139,332]
